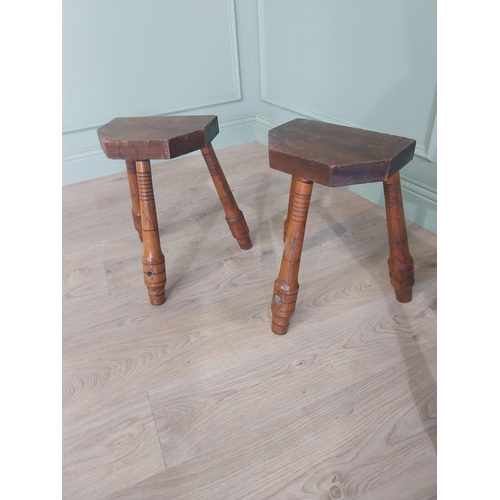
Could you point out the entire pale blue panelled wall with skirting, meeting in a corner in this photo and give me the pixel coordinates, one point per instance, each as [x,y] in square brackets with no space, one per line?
[256,64]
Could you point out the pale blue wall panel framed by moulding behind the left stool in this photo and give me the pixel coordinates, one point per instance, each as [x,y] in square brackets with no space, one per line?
[146,58]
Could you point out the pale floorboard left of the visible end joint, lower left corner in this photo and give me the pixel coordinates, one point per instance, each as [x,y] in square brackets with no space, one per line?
[108,449]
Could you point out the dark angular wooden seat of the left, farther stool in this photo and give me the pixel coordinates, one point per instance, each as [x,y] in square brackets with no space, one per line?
[156,137]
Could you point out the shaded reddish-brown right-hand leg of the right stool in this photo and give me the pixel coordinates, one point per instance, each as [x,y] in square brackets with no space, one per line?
[400,261]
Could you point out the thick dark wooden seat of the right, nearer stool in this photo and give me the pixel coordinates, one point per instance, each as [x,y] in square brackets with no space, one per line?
[334,155]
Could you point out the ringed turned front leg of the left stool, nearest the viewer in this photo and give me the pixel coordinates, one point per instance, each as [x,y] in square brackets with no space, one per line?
[153,261]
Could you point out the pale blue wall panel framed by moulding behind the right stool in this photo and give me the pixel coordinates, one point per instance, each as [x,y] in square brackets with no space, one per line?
[364,64]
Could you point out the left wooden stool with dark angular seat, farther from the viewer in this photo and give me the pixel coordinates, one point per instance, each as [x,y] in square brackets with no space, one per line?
[139,140]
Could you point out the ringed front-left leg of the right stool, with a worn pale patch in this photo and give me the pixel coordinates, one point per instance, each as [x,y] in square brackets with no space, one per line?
[286,286]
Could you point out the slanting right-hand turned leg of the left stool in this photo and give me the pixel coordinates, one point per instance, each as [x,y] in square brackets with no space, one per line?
[234,216]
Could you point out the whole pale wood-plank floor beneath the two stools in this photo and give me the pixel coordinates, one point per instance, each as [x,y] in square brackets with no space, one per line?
[196,398]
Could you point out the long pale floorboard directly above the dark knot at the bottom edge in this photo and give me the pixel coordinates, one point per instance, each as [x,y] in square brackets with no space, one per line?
[345,434]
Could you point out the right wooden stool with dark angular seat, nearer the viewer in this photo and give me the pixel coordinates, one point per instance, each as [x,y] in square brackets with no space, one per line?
[313,151]
